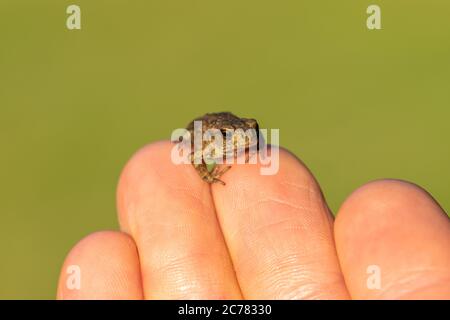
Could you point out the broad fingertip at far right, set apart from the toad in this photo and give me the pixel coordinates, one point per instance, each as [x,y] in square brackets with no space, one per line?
[399,228]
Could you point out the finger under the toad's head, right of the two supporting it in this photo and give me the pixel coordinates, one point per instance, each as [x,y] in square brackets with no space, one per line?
[279,233]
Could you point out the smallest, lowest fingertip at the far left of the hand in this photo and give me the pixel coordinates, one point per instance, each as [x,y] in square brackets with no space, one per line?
[103,265]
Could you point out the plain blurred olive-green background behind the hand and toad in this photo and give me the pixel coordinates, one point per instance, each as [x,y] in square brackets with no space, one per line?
[354,104]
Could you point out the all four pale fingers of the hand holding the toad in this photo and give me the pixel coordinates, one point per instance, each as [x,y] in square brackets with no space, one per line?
[260,237]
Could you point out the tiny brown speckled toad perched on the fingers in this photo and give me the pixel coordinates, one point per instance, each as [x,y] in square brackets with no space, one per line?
[221,121]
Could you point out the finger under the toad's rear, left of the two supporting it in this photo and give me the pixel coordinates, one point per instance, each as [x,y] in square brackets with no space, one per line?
[169,212]
